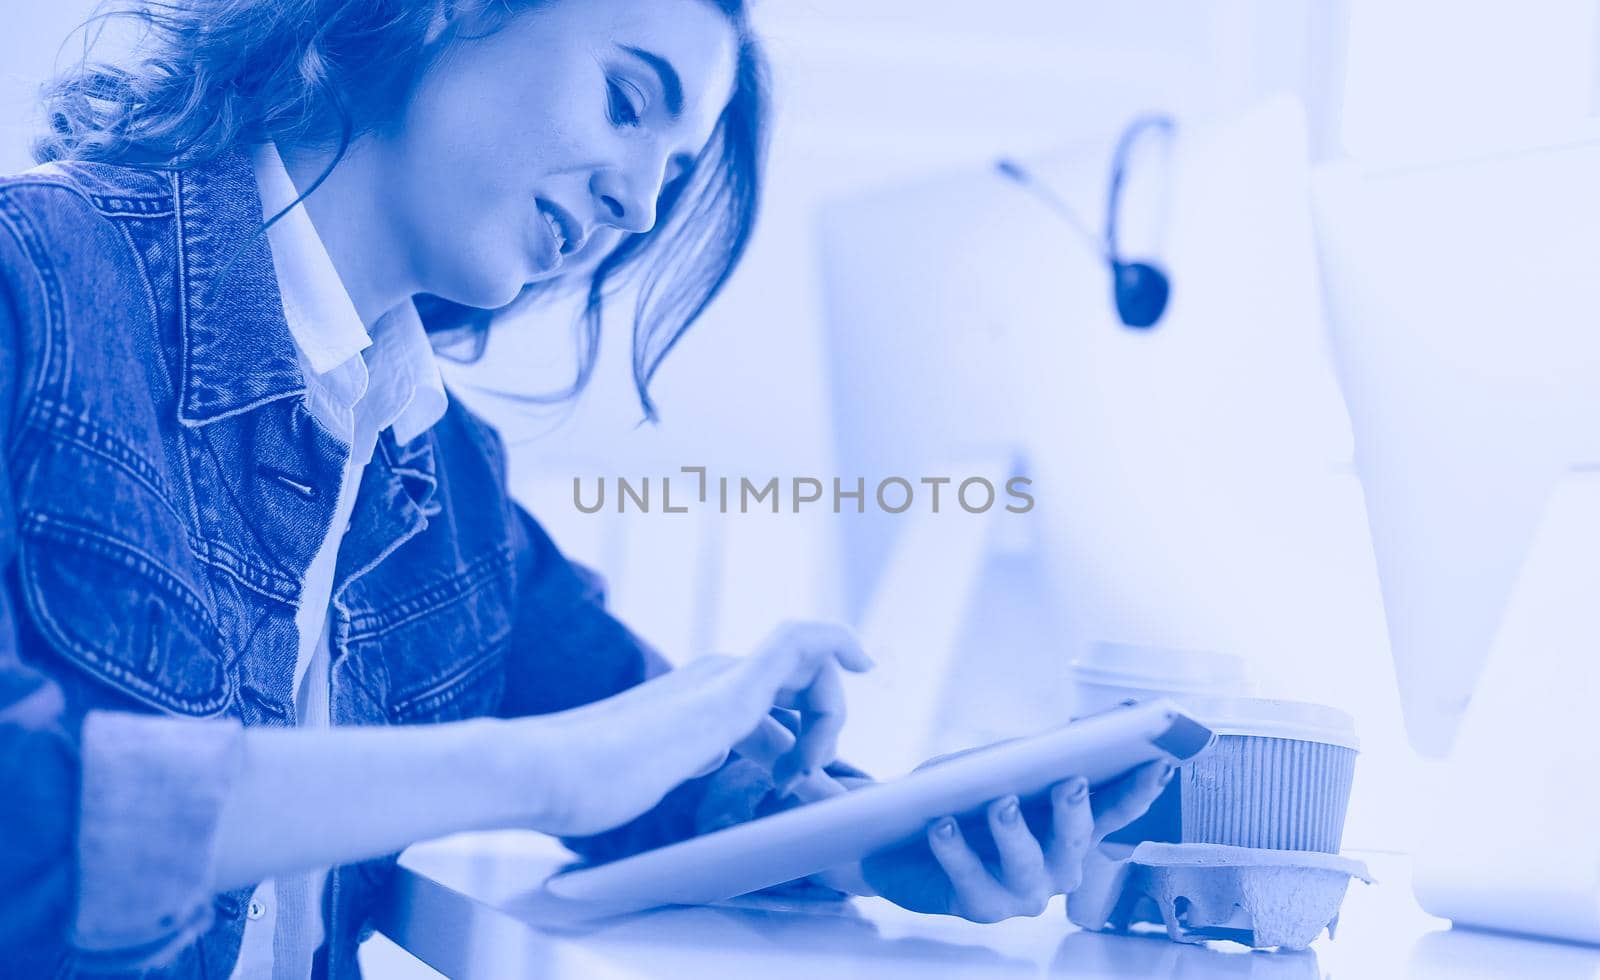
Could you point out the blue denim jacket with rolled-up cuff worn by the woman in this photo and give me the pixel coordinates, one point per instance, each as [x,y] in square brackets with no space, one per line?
[164,488]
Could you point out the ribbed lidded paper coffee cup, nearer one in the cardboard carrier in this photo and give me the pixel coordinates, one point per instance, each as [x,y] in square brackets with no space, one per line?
[1279,776]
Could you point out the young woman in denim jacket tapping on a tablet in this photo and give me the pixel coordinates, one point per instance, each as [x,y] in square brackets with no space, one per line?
[270,612]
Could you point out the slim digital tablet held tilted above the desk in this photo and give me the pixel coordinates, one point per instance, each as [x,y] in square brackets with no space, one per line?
[846,829]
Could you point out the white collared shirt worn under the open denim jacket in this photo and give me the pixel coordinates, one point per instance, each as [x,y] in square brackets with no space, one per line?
[358,385]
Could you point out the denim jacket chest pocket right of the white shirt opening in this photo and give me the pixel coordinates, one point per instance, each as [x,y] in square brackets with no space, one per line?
[441,649]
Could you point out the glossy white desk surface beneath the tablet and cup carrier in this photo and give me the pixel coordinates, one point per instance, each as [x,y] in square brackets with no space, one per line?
[458,906]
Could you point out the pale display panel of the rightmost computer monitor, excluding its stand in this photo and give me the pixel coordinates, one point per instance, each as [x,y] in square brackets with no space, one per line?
[1463,302]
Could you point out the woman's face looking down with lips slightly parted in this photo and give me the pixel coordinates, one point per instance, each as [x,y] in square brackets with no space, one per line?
[542,145]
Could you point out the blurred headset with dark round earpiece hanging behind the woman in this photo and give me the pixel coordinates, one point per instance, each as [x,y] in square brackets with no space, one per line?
[1142,289]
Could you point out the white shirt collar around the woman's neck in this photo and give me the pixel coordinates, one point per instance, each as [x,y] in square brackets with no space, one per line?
[409,392]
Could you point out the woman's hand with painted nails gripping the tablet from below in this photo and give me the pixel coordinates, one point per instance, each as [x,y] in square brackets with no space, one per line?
[1012,859]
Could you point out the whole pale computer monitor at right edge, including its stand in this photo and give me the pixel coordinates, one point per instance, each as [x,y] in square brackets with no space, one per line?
[1463,299]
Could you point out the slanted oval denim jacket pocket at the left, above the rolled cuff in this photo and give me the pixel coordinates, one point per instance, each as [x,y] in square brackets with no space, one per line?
[121,616]
